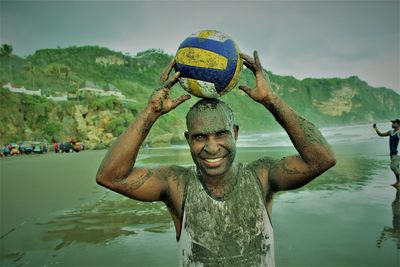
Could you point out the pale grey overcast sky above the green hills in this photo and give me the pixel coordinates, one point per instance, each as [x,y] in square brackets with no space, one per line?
[298,38]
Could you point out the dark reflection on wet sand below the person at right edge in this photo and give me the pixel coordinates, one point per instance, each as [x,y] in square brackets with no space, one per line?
[394,231]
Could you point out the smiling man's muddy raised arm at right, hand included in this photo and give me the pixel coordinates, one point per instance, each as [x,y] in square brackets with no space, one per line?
[315,154]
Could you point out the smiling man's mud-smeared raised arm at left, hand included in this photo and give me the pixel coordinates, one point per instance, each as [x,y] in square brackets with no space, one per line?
[117,171]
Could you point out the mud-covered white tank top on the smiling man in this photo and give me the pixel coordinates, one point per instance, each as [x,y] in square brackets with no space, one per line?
[235,231]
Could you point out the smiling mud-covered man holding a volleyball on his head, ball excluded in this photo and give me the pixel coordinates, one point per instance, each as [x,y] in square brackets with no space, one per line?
[221,209]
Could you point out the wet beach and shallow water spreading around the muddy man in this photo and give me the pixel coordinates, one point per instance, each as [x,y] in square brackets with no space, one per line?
[54,214]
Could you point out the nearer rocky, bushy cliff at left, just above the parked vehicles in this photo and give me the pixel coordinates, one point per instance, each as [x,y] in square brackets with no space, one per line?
[34,118]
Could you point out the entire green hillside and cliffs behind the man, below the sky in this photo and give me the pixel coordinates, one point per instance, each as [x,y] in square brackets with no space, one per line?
[99,120]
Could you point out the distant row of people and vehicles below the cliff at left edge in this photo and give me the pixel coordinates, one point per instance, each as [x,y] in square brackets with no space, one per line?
[35,147]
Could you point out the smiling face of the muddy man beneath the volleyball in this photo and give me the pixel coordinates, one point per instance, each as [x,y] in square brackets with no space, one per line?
[212,140]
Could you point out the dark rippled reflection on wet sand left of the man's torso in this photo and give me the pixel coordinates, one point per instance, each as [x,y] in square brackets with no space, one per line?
[105,221]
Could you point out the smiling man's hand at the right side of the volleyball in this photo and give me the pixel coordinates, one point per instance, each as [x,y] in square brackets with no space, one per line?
[263,92]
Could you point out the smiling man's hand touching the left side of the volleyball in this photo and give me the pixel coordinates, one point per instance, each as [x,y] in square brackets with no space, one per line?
[161,102]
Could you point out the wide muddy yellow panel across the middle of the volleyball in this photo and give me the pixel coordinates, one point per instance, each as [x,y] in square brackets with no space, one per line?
[197,57]
